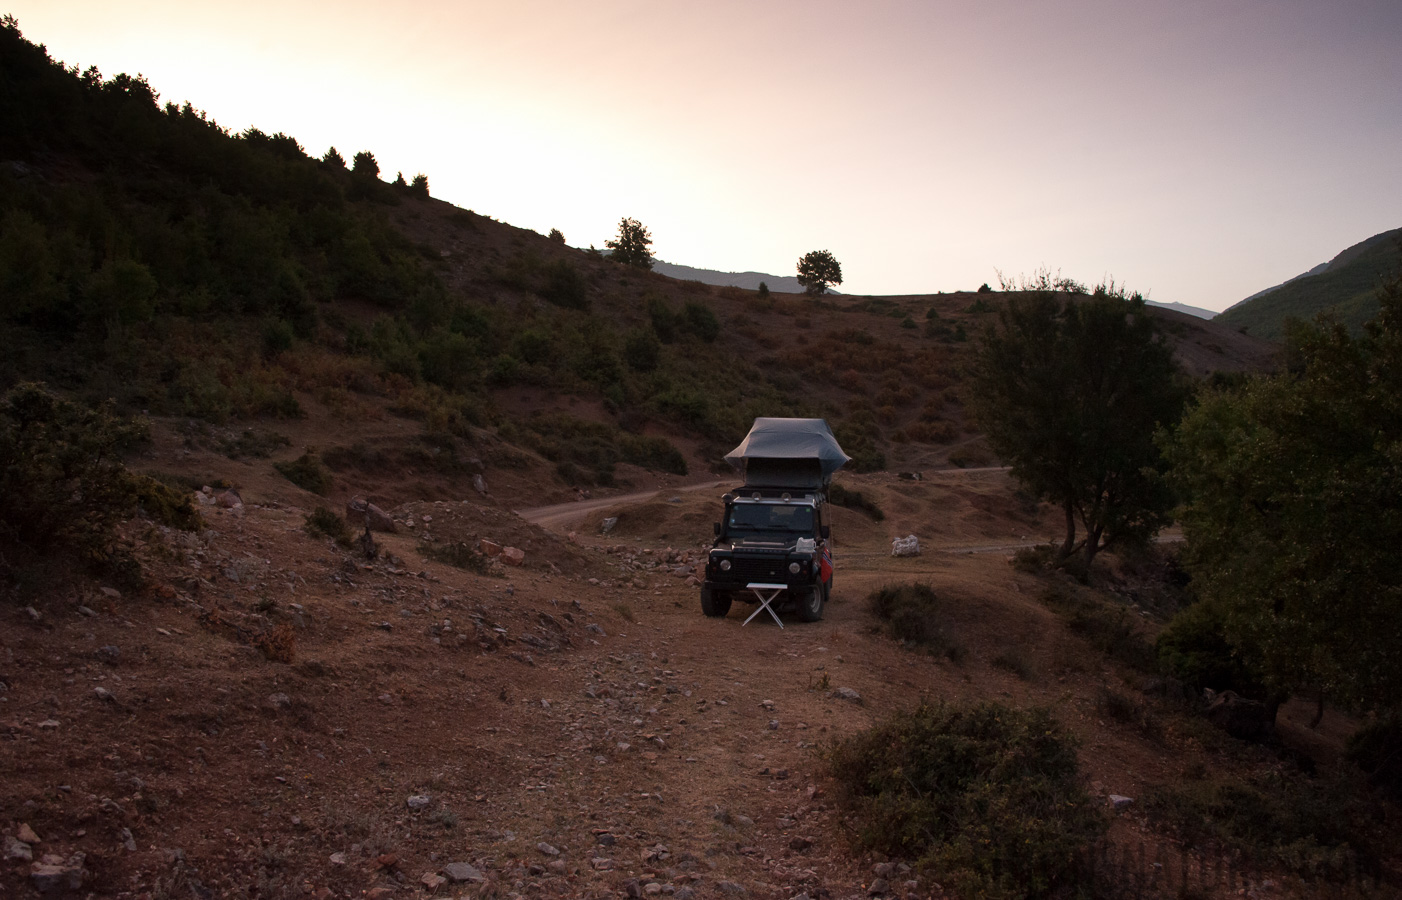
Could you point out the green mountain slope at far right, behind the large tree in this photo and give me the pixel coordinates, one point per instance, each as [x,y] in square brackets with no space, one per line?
[1347,287]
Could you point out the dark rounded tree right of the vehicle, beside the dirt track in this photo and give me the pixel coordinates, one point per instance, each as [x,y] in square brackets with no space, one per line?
[1070,393]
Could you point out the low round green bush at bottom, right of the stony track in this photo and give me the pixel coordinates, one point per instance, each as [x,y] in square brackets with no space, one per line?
[986,796]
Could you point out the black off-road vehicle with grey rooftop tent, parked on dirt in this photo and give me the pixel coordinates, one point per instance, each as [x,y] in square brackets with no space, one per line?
[773,531]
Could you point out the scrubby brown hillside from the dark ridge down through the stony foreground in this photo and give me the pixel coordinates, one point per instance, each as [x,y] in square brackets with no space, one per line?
[257,709]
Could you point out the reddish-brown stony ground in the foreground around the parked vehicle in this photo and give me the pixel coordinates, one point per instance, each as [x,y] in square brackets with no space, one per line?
[284,717]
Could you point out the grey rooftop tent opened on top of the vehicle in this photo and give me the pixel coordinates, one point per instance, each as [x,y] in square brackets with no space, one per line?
[789,454]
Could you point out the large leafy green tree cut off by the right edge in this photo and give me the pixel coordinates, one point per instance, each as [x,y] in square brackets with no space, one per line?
[1296,511]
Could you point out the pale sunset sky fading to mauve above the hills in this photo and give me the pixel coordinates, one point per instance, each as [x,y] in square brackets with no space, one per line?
[1197,151]
